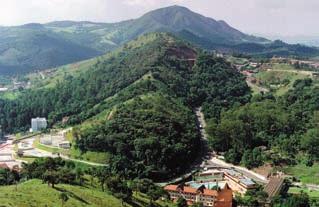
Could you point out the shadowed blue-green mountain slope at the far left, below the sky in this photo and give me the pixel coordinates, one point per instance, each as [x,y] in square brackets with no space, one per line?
[33,47]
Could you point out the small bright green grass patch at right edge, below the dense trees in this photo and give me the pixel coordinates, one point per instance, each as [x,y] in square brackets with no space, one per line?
[308,175]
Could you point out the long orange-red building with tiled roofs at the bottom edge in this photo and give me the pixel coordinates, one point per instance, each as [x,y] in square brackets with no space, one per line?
[208,197]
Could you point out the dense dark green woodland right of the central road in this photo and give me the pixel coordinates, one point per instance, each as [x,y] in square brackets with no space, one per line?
[286,125]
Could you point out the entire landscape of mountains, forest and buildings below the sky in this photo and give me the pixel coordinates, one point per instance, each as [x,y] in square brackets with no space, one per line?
[170,109]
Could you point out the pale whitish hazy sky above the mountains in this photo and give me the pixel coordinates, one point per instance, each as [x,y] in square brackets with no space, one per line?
[284,17]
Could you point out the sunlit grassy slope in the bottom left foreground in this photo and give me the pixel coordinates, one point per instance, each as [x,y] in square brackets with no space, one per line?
[35,194]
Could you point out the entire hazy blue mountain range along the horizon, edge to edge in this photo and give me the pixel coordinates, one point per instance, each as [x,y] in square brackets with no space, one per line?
[35,46]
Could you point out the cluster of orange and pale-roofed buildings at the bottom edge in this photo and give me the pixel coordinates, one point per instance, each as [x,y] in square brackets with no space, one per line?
[212,188]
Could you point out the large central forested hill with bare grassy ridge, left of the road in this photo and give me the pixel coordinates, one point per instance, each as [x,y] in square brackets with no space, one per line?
[136,104]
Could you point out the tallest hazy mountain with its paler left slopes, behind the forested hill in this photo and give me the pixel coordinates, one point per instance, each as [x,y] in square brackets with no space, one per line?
[174,19]
